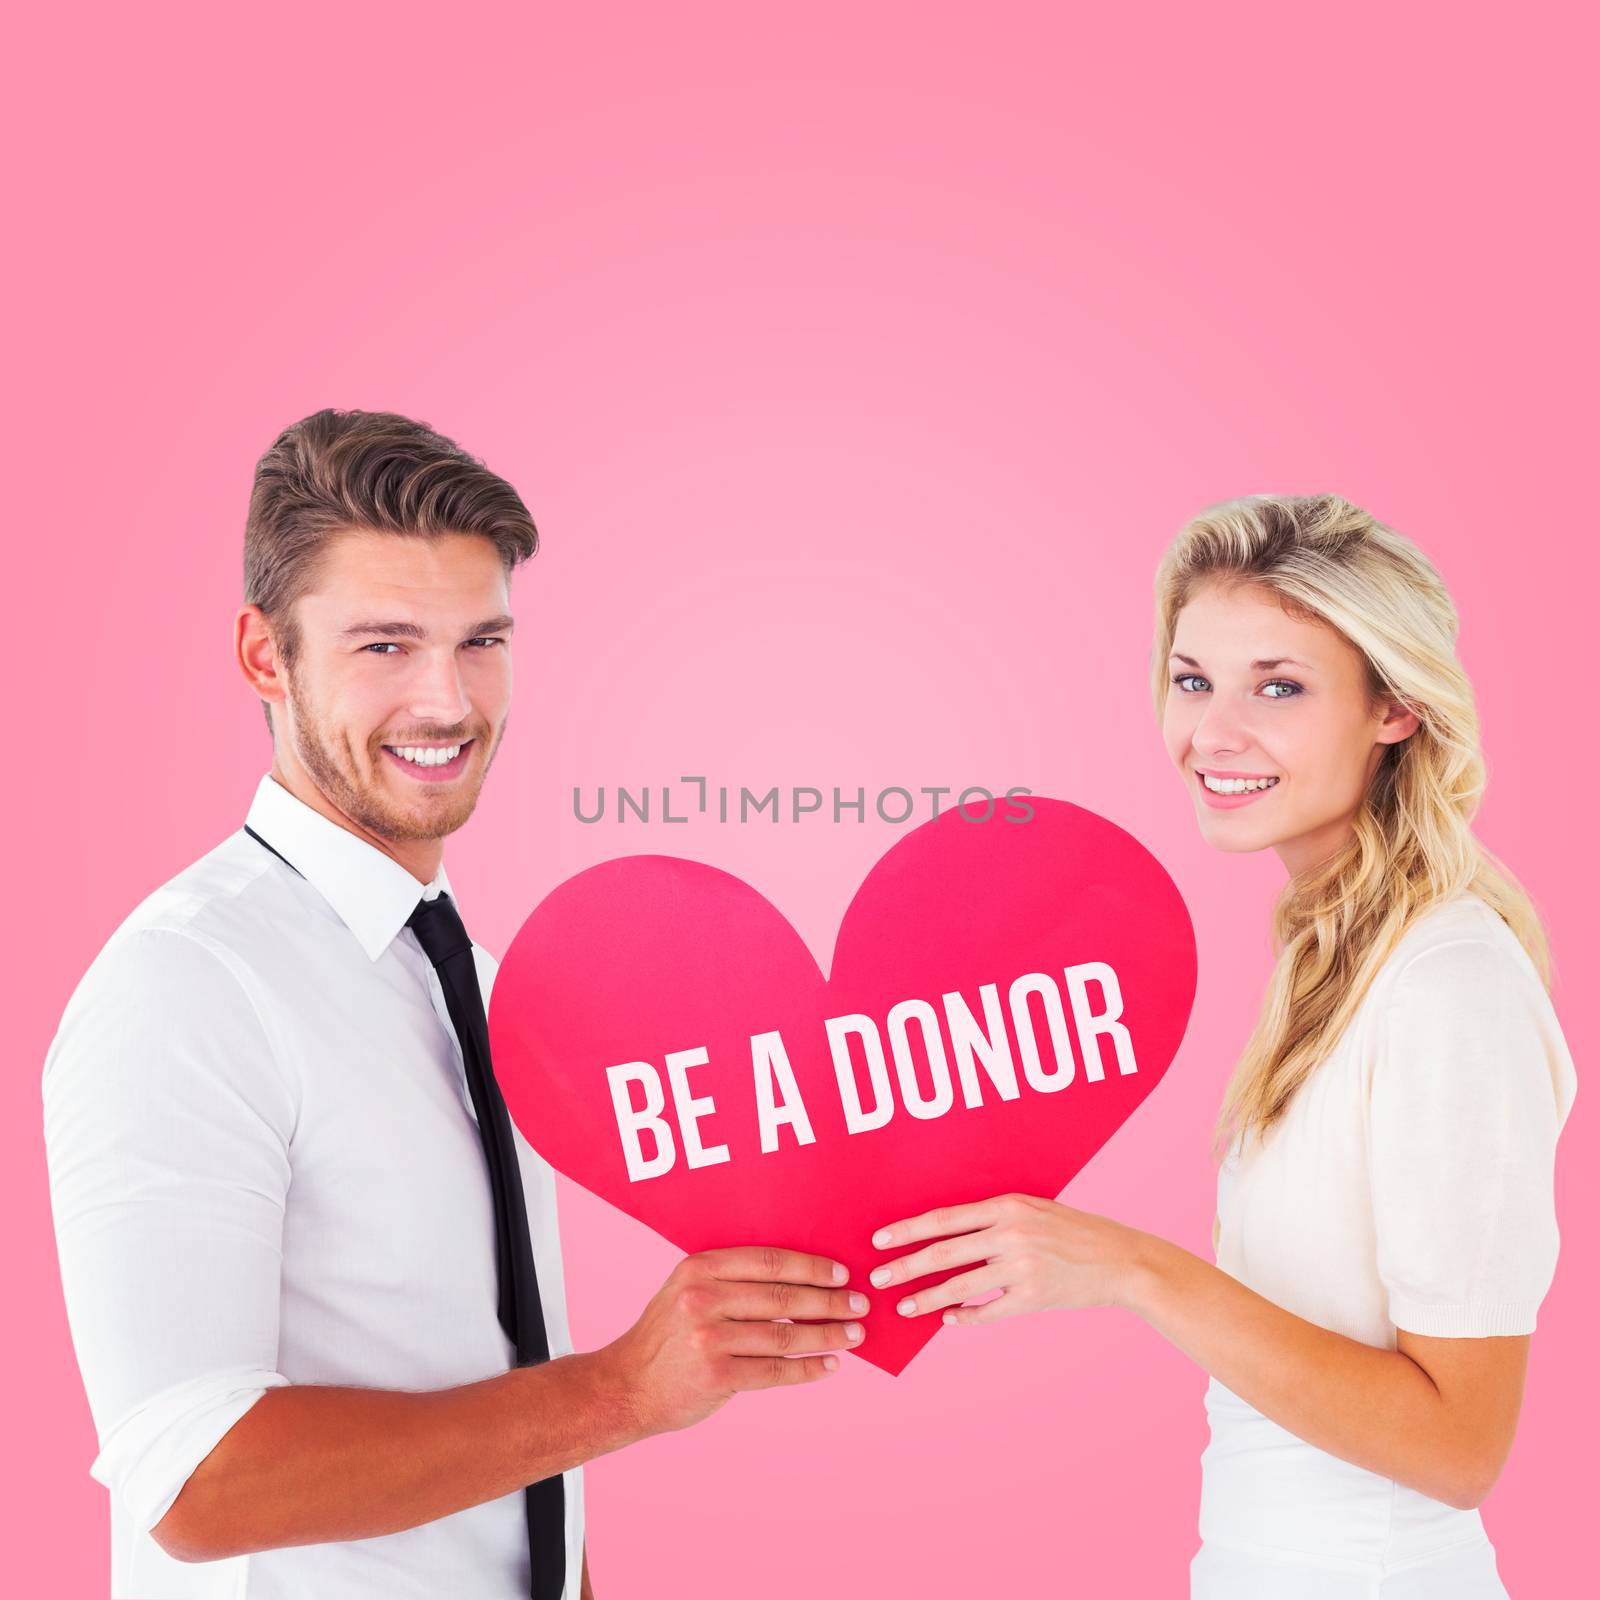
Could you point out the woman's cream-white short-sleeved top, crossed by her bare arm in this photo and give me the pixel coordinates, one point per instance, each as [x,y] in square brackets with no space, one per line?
[1409,1185]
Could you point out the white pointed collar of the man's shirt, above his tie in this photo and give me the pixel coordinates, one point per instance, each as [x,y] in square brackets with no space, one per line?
[372,892]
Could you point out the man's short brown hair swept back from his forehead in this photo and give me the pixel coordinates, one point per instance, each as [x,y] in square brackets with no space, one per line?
[340,471]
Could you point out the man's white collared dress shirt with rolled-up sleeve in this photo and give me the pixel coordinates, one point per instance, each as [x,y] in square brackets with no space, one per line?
[265,1170]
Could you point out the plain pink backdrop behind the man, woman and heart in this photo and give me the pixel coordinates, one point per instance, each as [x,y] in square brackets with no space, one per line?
[857,366]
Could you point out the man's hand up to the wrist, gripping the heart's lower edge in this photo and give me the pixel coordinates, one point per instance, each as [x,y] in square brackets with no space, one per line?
[714,1329]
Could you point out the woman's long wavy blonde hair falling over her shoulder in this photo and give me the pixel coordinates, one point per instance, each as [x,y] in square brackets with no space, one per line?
[1335,924]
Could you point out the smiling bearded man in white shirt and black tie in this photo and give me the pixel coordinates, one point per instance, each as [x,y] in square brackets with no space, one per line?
[313,1273]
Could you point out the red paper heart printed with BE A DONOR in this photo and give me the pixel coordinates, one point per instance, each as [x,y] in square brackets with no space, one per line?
[652,954]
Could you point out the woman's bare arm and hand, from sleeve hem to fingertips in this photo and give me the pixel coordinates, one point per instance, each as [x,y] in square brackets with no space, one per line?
[1438,1415]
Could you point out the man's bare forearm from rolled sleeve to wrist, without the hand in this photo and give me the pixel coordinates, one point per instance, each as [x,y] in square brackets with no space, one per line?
[311,1465]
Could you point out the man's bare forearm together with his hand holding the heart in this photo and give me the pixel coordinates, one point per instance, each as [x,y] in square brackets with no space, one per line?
[314,1465]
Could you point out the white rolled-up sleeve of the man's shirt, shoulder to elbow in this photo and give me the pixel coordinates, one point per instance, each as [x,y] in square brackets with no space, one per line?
[167,1135]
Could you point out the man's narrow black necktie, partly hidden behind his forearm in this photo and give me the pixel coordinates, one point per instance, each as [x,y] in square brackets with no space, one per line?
[439,930]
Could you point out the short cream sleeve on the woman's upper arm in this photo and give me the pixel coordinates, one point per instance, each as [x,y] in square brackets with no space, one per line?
[1471,1086]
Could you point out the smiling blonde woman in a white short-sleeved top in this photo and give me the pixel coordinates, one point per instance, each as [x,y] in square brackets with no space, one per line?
[1386,1223]
